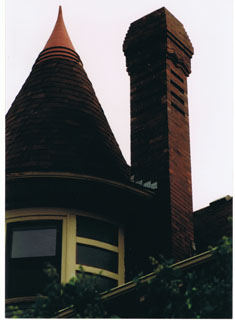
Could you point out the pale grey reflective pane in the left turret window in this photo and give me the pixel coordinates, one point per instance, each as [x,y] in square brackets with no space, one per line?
[33,243]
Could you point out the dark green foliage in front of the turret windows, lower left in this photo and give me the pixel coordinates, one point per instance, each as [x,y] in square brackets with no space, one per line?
[80,295]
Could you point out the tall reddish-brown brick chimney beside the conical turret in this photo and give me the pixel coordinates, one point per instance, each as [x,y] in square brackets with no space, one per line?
[158,53]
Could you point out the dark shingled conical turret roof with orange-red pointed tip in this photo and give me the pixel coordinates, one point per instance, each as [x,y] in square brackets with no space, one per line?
[56,122]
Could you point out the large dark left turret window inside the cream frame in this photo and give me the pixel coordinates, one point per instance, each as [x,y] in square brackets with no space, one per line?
[31,246]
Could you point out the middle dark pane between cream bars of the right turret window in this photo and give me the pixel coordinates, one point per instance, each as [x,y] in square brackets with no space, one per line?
[97,257]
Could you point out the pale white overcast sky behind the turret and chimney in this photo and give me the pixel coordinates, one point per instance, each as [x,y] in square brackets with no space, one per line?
[97,29]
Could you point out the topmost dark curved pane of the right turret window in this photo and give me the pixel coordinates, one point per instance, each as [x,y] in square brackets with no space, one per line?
[97,230]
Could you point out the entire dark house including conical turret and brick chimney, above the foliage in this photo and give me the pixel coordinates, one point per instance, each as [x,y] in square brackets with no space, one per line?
[71,199]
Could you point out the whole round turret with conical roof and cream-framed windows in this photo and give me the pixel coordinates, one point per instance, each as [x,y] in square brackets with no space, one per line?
[63,166]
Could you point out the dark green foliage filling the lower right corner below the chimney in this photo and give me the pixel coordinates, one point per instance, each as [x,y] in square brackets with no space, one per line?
[205,292]
